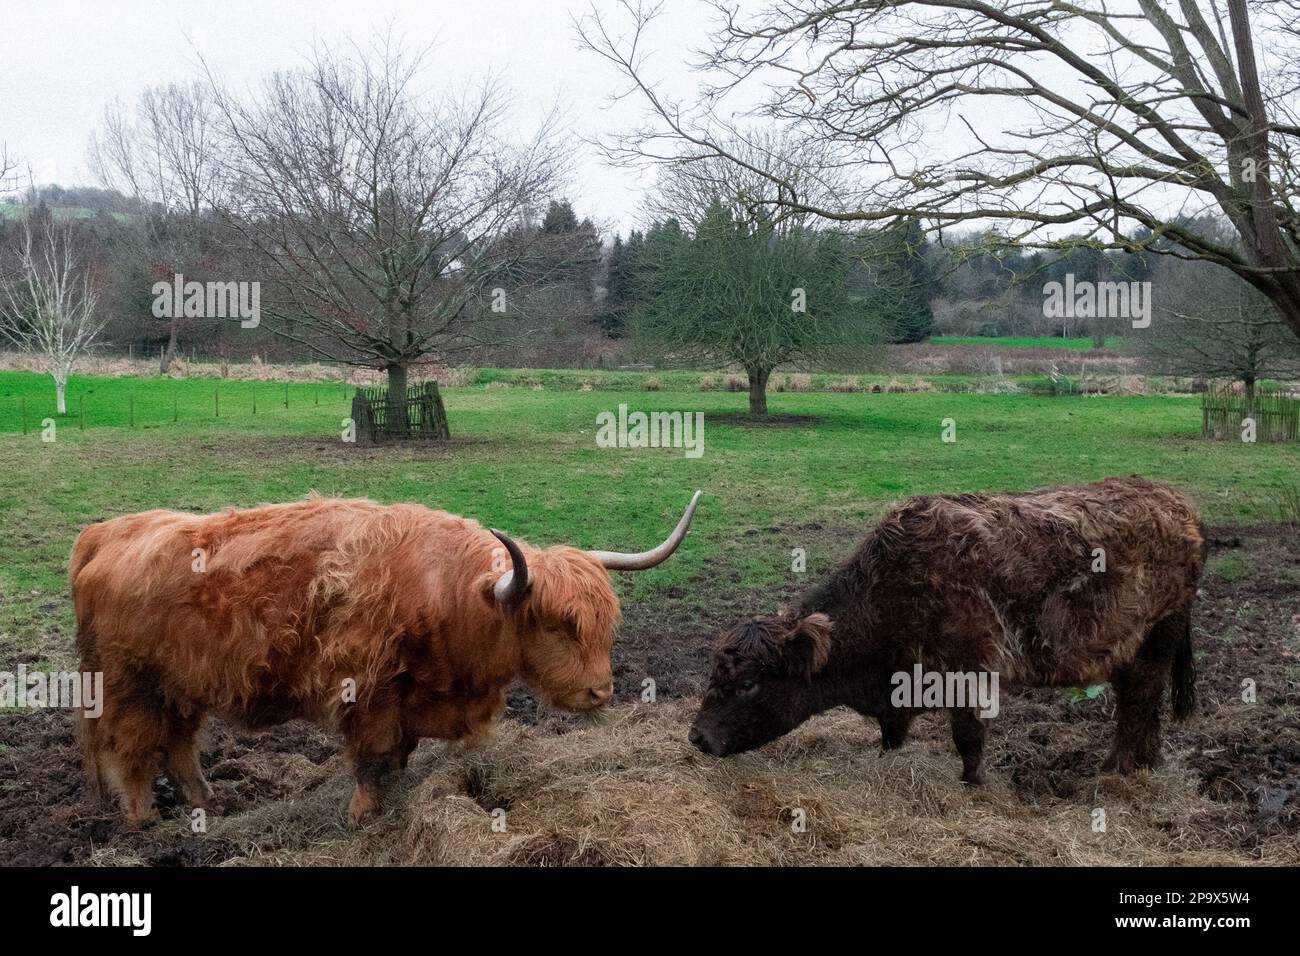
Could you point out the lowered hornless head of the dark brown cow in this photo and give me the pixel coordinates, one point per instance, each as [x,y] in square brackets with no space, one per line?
[762,684]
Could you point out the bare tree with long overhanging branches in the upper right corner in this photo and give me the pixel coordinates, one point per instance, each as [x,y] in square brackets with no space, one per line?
[1041,116]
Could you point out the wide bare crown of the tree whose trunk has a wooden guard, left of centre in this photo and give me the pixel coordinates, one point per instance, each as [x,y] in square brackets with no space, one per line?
[383,217]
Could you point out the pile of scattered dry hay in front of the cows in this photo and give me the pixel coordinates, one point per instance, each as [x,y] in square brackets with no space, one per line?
[632,791]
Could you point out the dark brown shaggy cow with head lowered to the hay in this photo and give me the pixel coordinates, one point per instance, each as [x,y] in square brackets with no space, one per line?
[981,583]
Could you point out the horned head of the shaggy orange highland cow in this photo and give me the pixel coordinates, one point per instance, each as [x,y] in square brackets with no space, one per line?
[566,611]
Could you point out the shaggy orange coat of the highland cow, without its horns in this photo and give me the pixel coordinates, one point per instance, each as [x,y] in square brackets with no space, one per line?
[378,621]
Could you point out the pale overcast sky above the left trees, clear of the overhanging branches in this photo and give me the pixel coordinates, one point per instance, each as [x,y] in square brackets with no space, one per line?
[63,60]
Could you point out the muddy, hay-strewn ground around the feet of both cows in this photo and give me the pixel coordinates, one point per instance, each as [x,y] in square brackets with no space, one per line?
[1229,793]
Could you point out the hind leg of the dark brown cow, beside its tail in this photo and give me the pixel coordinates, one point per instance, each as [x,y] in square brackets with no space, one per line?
[1139,691]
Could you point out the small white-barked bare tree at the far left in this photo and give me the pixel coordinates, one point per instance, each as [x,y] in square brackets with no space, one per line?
[47,308]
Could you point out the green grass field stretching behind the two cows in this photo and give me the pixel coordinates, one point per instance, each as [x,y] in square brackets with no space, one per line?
[526,461]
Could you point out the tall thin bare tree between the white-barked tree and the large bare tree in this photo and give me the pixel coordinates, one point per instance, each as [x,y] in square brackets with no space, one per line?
[164,155]
